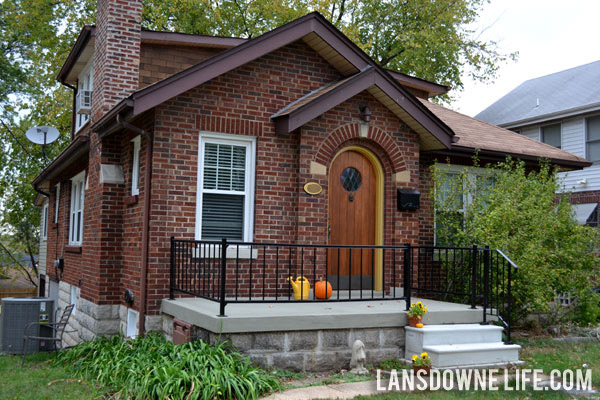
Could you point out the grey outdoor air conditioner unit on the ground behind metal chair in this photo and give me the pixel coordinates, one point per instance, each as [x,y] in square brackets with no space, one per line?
[16,314]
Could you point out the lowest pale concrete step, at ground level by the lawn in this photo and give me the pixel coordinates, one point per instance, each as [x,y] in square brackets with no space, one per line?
[475,354]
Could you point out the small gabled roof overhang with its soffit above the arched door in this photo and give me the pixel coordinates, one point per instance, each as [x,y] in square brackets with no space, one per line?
[434,134]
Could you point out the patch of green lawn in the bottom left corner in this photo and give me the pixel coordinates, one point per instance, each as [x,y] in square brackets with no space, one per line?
[38,379]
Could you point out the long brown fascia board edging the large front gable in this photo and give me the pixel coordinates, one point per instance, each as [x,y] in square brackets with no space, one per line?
[168,88]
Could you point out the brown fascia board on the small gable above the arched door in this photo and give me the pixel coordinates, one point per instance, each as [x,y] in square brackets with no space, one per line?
[288,122]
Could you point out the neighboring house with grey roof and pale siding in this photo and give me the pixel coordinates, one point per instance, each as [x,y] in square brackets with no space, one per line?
[561,110]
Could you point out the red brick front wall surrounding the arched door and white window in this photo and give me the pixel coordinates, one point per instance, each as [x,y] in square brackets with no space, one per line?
[241,102]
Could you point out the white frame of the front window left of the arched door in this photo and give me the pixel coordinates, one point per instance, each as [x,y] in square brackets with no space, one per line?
[249,142]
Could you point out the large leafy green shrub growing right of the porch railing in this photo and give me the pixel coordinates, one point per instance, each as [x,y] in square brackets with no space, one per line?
[517,211]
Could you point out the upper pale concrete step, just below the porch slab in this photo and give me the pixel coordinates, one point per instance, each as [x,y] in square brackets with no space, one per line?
[417,338]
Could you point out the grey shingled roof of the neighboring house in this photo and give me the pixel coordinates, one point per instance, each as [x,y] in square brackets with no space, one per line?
[567,91]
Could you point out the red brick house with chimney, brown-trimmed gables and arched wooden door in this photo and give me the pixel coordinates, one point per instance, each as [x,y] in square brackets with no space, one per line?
[203,137]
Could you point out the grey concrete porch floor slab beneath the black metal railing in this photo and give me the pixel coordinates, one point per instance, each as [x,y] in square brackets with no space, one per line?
[274,317]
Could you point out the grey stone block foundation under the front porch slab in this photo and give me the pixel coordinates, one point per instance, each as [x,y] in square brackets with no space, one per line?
[313,350]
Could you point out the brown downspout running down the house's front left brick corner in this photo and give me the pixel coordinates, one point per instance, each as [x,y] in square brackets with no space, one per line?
[146,219]
